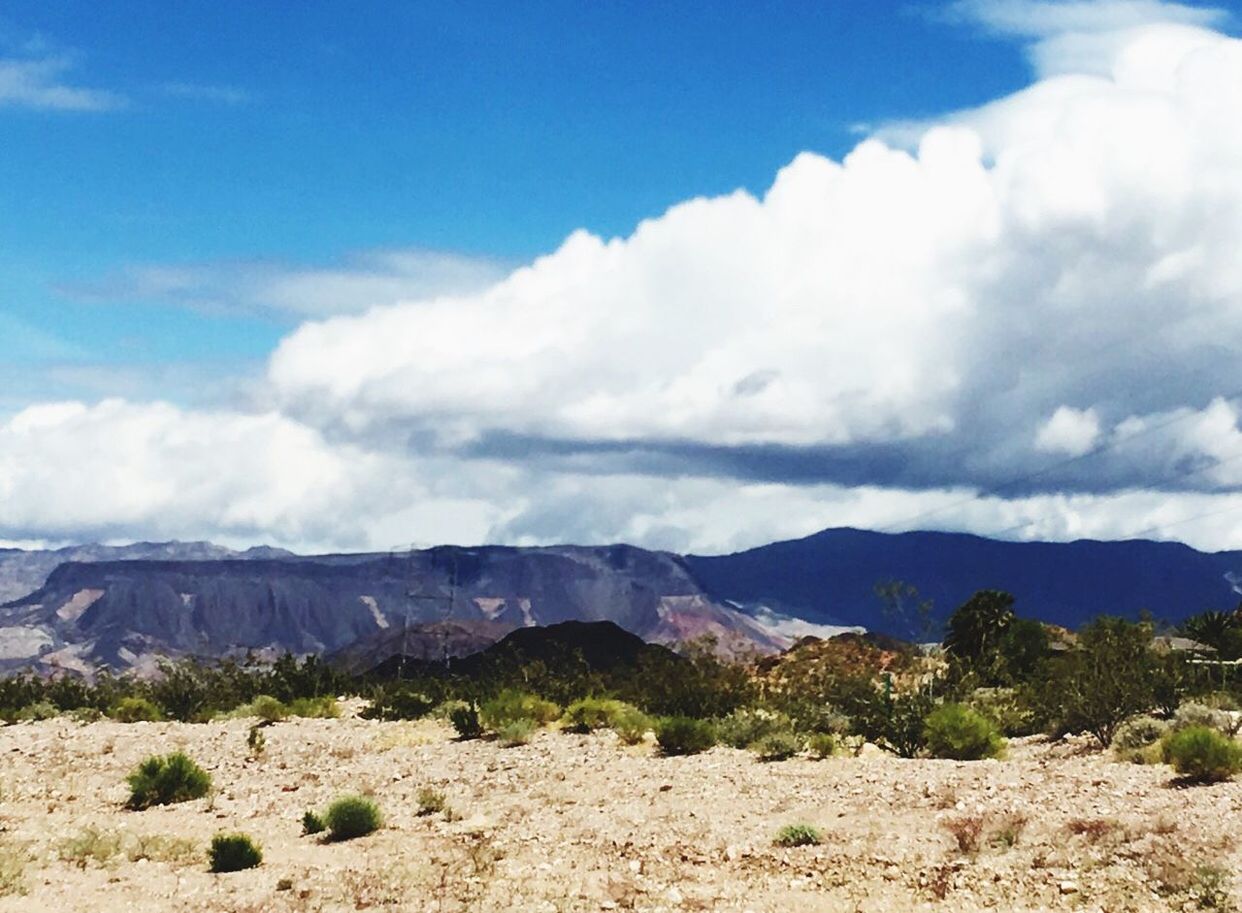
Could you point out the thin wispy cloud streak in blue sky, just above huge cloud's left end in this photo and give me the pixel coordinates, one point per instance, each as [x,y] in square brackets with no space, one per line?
[283,290]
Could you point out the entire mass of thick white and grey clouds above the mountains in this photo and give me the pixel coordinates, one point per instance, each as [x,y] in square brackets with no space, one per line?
[1022,320]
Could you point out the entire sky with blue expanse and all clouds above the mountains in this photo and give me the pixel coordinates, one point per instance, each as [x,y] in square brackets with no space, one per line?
[692,276]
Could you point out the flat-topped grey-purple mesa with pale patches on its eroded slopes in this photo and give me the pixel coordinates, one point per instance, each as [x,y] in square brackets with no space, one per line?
[126,614]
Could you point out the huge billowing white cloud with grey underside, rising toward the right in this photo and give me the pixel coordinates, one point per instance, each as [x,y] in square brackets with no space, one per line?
[1074,243]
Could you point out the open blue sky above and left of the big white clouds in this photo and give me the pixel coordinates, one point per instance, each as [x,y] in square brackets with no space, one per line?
[305,134]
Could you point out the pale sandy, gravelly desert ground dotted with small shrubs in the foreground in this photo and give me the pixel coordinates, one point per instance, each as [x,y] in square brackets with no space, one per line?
[582,823]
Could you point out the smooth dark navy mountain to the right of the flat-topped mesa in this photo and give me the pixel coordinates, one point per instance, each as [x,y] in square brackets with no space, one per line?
[830,577]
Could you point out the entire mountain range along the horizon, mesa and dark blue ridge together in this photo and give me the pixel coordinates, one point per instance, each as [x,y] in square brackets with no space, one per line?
[127,607]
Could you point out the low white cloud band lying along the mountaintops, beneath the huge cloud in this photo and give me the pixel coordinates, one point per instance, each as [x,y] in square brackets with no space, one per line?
[158,471]
